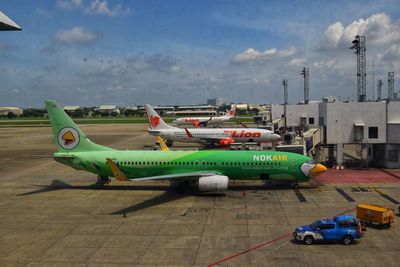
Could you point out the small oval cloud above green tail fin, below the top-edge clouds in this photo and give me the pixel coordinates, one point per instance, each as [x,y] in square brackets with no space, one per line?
[76,35]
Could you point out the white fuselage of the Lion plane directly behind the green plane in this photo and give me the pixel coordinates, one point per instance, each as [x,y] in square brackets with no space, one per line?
[209,134]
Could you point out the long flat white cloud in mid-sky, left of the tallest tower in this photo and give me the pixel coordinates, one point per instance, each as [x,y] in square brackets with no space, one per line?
[251,54]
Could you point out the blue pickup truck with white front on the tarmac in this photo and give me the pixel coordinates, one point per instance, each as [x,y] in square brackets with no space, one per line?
[343,228]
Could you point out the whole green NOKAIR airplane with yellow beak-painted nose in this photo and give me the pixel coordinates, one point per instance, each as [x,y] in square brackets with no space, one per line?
[210,170]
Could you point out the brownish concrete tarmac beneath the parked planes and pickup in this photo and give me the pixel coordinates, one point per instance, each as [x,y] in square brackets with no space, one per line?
[53,215]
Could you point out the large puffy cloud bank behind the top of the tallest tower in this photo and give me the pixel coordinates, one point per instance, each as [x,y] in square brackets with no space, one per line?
[378,29]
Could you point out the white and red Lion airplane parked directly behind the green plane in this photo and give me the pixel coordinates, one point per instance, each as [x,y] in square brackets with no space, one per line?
[220,136]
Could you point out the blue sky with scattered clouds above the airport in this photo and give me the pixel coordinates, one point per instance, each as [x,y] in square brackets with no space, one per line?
[93,52]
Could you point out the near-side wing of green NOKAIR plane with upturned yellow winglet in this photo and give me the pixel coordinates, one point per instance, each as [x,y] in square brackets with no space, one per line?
[120,176]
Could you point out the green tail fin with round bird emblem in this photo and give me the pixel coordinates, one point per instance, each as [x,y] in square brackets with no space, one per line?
[68,136]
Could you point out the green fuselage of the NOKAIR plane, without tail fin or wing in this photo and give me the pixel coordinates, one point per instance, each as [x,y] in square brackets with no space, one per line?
[269,165]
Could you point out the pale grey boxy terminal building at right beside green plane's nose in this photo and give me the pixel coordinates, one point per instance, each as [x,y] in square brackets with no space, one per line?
[372,127]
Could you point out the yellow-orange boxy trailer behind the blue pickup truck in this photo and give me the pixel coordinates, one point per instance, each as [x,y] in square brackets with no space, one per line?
[374,214]
